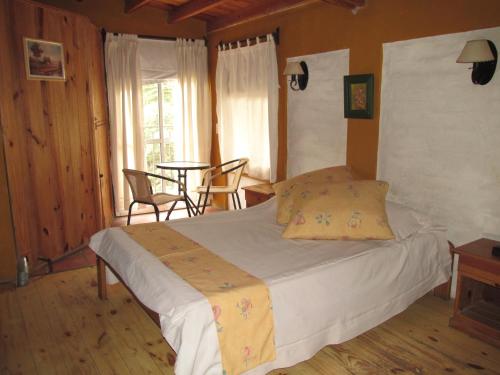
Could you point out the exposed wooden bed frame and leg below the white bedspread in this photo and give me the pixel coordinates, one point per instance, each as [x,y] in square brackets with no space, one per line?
[441,291]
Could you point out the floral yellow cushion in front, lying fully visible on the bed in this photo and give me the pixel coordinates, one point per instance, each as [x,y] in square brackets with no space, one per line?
[352,210]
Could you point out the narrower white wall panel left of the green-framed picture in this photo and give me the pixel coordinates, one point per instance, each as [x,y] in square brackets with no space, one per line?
[317,130]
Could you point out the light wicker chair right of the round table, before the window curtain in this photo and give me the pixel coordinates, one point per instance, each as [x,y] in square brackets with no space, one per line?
[237,166]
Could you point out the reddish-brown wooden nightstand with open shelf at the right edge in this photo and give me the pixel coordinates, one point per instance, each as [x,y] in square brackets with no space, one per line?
[477,303]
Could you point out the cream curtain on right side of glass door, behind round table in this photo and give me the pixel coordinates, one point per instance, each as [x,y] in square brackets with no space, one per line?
[194,128]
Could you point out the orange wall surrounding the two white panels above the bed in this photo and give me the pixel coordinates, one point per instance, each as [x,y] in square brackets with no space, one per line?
[321,27]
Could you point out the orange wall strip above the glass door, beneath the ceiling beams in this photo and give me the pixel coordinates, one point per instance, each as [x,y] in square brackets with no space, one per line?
[110,15]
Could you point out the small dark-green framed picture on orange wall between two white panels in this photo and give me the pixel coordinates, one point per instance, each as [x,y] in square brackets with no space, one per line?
[358,96]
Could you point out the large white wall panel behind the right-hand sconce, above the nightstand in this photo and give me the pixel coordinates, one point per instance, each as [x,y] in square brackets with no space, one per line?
[439,144]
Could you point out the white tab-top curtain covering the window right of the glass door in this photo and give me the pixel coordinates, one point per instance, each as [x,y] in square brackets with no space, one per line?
[247,106]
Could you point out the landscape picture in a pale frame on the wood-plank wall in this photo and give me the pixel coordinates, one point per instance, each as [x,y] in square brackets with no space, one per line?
[44,60]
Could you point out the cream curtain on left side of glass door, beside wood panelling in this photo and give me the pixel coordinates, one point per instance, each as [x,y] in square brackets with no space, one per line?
[125,113]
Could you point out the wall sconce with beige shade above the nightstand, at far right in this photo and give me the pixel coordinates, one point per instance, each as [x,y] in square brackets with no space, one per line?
[483,54]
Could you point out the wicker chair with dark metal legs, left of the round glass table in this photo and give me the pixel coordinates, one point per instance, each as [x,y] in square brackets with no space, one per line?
[142,191]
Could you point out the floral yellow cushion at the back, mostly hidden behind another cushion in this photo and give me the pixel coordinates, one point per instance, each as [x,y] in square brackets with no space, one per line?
[287,190]
